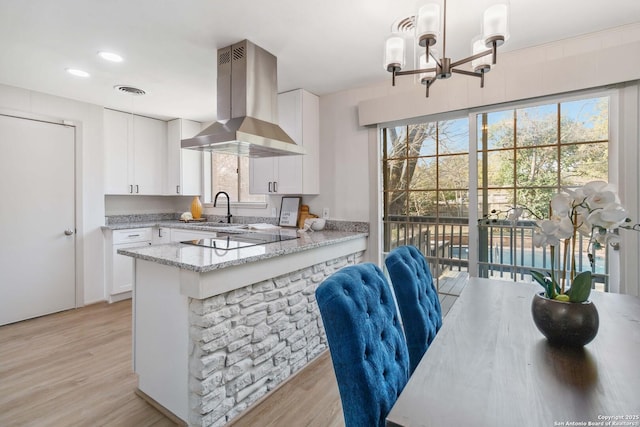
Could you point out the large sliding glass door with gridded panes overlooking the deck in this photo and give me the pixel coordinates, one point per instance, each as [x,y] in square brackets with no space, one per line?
[520,157]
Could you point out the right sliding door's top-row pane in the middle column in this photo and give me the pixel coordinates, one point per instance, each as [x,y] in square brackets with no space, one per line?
[537,125]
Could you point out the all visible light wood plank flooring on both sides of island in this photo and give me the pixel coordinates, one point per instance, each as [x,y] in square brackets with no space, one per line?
[74,369]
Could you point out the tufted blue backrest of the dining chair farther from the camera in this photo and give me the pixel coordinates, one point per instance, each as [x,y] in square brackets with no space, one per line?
[417,299]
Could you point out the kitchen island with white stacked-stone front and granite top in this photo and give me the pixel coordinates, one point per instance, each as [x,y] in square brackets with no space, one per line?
[215,330]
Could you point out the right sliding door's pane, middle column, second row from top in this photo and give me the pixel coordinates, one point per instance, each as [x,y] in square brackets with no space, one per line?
[537,167]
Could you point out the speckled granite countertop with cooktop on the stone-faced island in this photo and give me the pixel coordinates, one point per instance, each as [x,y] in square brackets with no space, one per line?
[202,260]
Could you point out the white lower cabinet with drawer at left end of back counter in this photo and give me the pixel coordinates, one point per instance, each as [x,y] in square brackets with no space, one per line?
[119,268]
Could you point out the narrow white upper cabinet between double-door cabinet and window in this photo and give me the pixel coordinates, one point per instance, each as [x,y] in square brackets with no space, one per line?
[184,167]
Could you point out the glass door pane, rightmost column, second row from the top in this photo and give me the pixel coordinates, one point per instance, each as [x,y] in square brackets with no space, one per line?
[582,163]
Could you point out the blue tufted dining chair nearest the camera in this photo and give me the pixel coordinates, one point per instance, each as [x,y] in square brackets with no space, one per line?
[366,342]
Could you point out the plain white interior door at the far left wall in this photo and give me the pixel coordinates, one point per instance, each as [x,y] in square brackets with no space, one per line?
[37,218]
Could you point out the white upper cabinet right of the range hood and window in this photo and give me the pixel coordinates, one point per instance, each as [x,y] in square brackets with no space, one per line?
[298,113]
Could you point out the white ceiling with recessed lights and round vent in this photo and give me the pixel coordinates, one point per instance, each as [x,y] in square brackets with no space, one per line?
[170,46]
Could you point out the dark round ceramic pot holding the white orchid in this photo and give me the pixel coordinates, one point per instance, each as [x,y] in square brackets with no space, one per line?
[565,323]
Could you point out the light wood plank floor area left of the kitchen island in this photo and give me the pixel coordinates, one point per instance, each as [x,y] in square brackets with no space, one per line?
[72,369]
